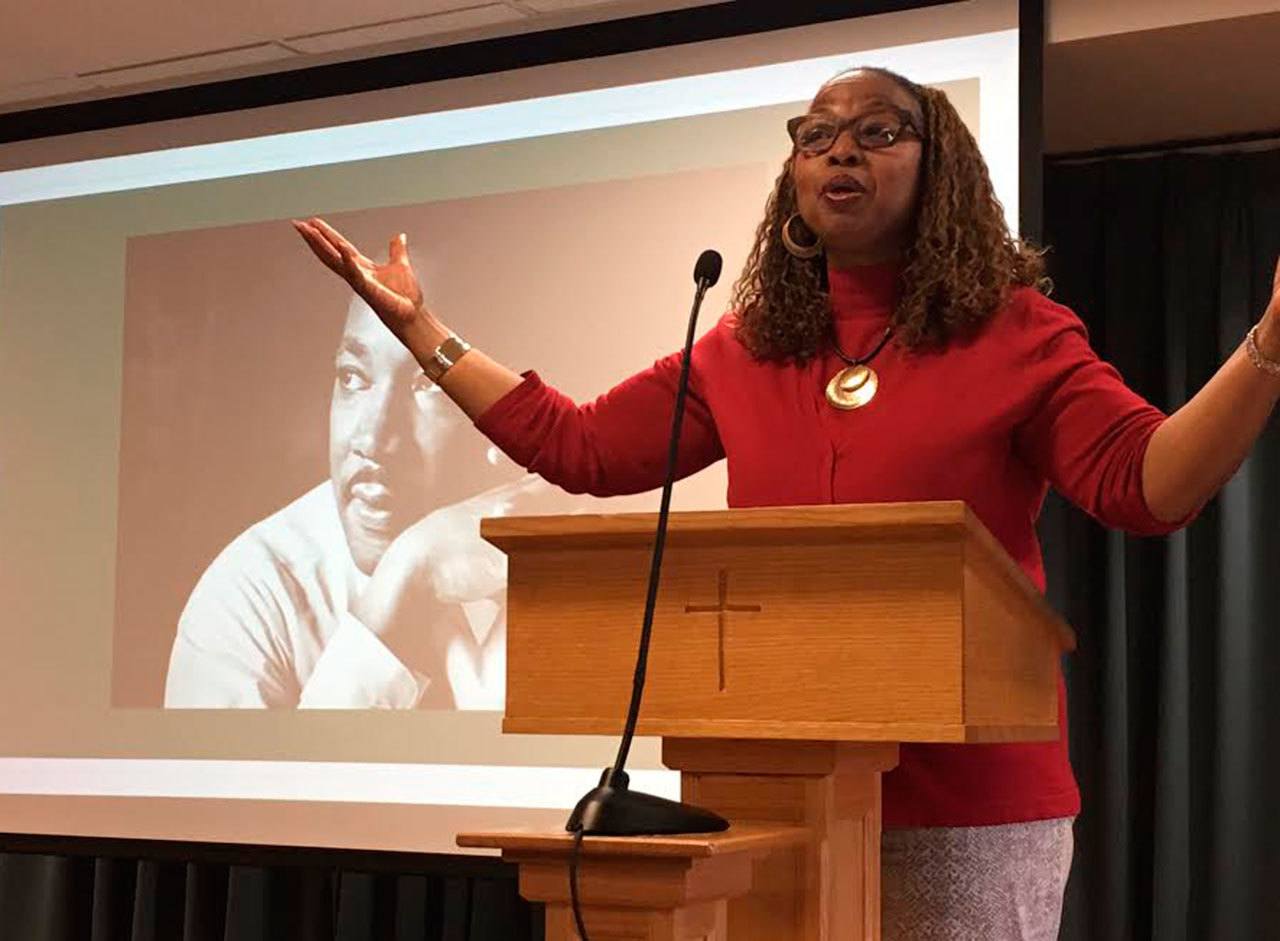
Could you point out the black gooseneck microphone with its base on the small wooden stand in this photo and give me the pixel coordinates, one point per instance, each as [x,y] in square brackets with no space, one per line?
[611,808]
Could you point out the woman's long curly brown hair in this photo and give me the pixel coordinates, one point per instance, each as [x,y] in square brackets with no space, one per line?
[958,272]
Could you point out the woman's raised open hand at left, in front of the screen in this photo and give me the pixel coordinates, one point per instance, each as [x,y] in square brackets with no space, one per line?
[391,290]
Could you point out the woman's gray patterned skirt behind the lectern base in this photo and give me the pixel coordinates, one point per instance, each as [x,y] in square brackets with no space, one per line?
[976,884]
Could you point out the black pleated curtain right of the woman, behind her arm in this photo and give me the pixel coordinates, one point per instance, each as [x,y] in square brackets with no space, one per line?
[1176,687]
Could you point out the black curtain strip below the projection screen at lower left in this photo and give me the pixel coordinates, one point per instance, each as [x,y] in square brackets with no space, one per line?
[167,893]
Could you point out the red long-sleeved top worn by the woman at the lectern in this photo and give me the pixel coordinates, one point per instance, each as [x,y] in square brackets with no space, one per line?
[993,422]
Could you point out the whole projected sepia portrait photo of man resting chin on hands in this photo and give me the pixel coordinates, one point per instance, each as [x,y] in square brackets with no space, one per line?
[285,462]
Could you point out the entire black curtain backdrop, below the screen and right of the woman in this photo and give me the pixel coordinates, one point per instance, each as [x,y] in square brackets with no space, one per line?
[1174,691]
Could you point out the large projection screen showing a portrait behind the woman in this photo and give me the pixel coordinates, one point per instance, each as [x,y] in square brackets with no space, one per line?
[179,401]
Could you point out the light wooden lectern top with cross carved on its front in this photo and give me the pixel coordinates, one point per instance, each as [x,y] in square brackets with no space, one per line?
[863,624]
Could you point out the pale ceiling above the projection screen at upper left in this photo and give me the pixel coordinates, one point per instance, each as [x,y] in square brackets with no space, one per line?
[79,51]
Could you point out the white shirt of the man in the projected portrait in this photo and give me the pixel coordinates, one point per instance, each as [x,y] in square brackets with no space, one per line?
[269,622]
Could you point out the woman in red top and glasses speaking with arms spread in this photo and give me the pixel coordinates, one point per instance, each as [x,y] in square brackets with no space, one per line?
[888,342]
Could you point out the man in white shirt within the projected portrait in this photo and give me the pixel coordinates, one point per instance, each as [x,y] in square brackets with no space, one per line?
[271,623]
